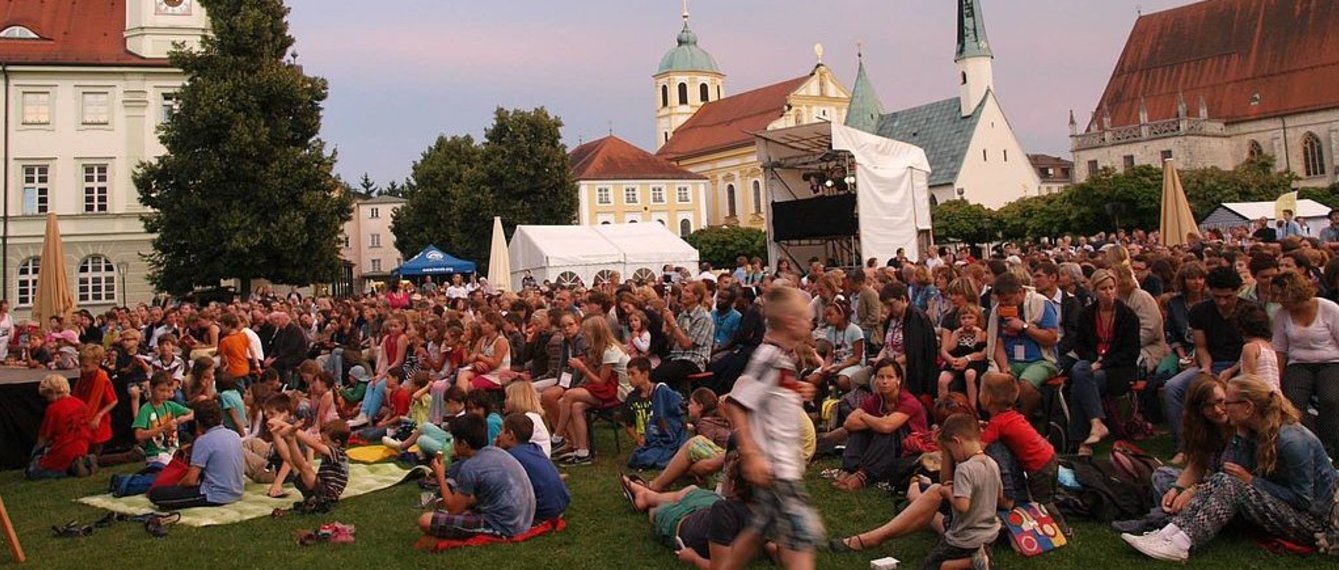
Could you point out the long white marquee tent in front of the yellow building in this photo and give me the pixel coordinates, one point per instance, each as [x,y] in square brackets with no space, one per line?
[594,254]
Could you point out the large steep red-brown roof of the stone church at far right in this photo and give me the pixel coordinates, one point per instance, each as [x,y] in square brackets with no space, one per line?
[1226,52]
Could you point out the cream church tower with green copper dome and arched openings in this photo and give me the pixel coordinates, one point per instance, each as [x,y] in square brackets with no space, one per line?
[688,80]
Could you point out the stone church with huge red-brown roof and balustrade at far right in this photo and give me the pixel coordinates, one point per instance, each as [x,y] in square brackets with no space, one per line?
[1218,82]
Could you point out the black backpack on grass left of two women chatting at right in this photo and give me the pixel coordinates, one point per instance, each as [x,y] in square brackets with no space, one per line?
[1108,494]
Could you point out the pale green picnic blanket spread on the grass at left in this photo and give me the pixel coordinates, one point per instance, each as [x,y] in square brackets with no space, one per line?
[362,480]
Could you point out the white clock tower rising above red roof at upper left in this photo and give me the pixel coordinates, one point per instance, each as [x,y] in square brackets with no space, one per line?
[155,26]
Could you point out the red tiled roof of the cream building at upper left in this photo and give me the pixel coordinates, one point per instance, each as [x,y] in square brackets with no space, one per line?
[73,33]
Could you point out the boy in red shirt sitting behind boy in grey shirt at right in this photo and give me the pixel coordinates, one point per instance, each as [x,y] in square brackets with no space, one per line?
[1028,461]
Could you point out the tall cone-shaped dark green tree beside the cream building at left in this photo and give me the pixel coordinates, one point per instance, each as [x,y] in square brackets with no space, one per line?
[246,189]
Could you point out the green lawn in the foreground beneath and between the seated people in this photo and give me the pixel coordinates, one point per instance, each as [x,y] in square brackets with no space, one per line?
[603,532]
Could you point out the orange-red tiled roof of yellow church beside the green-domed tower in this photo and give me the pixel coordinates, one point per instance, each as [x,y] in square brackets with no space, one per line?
[730,122]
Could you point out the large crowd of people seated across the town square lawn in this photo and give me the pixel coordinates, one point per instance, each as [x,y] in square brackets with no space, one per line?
[732,382]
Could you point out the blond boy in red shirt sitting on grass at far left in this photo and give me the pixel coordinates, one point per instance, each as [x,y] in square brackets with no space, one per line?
[64,441]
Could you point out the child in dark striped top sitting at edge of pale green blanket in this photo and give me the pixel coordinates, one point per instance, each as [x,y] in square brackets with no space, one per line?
[322,488]
